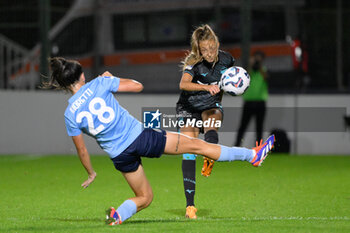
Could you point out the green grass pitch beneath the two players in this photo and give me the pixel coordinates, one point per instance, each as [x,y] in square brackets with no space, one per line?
[286,194]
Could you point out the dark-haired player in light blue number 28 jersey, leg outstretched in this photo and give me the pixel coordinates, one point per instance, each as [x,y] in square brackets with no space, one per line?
[93,110]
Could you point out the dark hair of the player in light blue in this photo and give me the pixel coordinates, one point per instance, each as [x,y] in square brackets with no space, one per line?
[64,72]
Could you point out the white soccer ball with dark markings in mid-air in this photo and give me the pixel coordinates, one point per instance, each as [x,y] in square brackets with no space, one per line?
[235,81]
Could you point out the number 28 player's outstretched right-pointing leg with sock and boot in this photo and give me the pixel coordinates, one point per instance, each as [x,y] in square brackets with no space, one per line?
[179,144]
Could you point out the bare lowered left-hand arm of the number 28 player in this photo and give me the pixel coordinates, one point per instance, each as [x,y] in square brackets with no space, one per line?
[84,159]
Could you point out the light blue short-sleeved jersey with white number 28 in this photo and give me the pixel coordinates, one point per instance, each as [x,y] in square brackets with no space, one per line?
[95,111]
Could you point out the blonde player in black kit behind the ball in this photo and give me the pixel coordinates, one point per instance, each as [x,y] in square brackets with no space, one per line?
[200,99]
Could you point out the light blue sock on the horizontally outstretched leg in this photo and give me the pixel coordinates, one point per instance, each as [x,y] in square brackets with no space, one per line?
[236,153]
